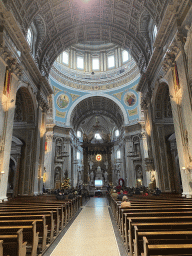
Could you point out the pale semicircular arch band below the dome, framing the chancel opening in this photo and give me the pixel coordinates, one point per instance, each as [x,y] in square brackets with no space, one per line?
[125,117]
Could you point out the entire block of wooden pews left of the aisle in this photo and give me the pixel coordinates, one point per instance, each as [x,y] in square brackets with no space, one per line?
[28,225]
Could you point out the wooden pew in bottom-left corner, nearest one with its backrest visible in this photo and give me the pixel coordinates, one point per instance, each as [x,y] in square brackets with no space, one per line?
[13,244]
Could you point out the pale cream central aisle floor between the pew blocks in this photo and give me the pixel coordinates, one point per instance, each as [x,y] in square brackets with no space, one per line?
[91,234]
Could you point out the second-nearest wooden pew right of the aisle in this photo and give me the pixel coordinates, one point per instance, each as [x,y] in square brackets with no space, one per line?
[158,235]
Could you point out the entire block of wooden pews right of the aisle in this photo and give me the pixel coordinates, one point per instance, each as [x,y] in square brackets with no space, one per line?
[155,226]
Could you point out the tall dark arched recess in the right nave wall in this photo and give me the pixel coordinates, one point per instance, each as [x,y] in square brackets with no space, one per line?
[168,177]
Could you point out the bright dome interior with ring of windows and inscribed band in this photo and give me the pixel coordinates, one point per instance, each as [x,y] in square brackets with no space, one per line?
[94,66]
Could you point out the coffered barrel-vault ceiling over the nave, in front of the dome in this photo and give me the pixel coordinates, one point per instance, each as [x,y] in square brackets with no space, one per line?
[62,23]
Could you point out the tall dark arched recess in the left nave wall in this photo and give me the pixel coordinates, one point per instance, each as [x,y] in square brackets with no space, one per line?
[24,131]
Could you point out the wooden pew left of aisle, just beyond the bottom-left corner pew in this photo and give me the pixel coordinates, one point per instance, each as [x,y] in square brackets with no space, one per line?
[30,235]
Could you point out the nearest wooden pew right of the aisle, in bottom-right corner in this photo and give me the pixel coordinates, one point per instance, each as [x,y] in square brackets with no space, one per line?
[166,249]
